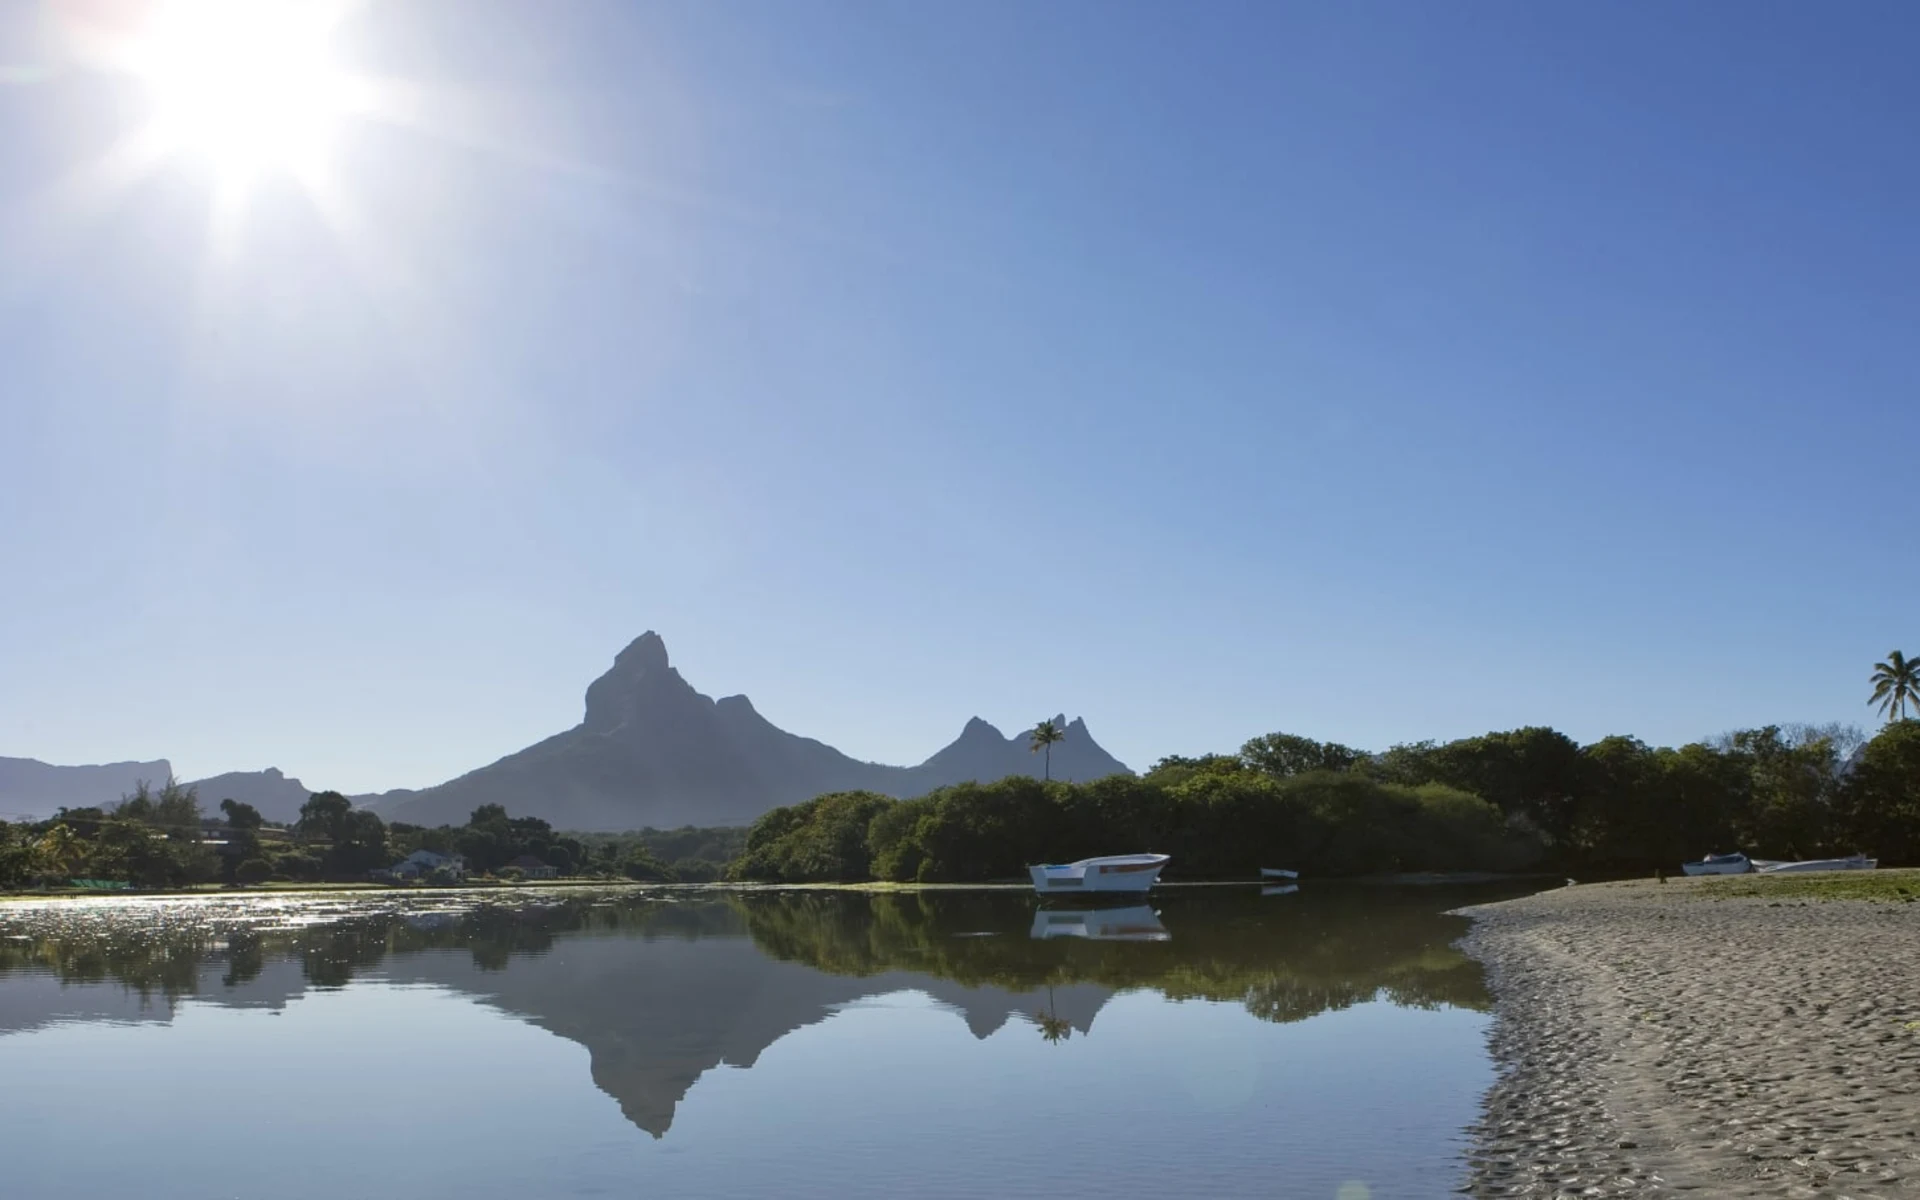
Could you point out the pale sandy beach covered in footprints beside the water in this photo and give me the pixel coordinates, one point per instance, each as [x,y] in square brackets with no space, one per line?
[1677,1038]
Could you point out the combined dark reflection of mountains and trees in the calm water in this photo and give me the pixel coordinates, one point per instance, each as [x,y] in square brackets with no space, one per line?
[663,986]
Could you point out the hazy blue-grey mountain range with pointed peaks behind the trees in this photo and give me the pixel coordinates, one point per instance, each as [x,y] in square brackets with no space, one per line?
[650,752]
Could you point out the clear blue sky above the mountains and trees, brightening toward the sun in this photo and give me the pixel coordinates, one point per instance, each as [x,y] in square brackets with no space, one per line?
[1370,372]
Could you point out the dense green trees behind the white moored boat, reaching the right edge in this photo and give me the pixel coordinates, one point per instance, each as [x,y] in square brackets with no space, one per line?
[1504,802]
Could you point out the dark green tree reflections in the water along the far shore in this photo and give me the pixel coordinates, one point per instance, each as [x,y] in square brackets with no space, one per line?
[1328,949]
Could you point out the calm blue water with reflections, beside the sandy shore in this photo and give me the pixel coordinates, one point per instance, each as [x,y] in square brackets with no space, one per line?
[698,1044]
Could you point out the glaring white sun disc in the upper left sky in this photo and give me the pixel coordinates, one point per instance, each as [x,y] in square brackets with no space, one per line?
[249,84]
